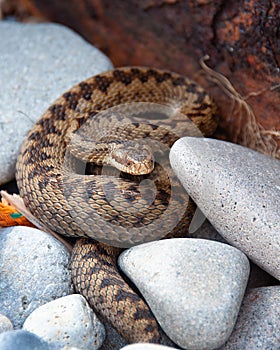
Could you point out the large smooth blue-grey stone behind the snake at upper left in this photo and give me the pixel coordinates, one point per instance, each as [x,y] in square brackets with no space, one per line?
[38,62]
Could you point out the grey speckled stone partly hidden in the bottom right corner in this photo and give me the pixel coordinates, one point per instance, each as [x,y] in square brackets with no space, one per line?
[258,323]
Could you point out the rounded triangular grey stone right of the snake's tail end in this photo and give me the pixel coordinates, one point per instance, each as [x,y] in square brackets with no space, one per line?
[194,287]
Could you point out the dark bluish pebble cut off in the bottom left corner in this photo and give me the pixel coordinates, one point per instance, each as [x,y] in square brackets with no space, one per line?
[23,340]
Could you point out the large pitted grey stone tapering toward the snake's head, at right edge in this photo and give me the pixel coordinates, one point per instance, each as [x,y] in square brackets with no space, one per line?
[238,190]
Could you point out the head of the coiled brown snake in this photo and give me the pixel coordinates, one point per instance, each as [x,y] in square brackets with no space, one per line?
[132,157]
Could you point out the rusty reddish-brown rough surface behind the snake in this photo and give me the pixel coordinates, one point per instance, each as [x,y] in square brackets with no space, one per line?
[241,37]
